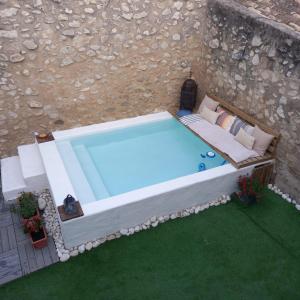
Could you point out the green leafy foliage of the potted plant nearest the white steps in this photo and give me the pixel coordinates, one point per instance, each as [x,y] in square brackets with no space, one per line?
[26,205]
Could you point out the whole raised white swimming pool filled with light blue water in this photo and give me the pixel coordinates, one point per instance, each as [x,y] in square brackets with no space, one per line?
[124,172]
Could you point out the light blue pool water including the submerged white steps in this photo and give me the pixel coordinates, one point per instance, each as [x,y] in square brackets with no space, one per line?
[122,160]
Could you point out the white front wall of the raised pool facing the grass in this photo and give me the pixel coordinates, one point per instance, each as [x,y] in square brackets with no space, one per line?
[126,211]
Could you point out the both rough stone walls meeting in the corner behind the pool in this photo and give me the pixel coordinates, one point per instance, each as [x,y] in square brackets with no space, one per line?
[67,63]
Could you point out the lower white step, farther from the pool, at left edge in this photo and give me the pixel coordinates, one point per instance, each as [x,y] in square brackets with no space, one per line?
[12,178]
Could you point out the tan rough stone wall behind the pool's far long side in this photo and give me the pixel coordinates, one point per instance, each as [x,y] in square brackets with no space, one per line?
[70,63]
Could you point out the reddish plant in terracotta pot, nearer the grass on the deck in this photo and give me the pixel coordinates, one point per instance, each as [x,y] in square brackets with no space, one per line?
[35,228]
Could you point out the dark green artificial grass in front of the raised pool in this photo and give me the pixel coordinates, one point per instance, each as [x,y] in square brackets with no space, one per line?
[226,252]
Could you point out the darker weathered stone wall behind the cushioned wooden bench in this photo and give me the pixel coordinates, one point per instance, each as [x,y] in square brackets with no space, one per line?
[253,62]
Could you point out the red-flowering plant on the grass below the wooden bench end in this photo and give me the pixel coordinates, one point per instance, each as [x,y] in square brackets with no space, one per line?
[250,190]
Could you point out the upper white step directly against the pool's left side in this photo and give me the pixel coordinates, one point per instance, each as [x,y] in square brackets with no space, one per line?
[32,167]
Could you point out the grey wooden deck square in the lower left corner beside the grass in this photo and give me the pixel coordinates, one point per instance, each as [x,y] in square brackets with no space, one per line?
[10,266]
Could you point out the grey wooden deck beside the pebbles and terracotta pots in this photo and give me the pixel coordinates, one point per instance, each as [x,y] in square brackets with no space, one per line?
[17,256]
